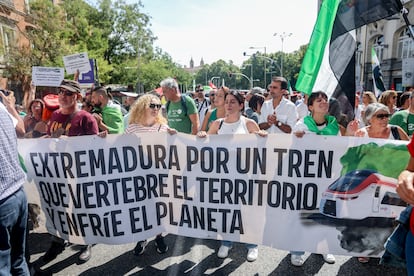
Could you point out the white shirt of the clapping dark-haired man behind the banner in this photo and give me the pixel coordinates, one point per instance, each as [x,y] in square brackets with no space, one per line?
[285,113]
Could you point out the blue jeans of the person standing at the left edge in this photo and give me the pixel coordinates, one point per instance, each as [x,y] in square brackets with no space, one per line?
[13,226]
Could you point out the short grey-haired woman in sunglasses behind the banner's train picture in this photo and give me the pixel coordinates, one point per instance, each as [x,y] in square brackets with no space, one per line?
[376,119]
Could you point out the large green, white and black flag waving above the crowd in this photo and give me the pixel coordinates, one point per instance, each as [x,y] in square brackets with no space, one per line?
[329,62]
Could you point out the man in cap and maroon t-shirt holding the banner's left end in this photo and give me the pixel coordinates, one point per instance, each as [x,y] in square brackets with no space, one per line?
[70,121]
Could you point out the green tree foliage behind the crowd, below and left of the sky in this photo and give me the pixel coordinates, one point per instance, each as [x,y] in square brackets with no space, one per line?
[118,36]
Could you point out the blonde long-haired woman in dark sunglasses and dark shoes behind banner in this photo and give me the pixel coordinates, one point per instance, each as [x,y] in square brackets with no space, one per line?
[145,116]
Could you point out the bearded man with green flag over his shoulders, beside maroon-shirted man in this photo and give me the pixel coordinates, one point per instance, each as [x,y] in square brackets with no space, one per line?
[109,119]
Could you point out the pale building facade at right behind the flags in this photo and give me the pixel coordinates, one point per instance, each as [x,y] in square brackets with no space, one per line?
[394,46]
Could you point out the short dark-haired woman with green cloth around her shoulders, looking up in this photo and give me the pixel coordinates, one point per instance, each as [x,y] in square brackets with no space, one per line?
[319,122]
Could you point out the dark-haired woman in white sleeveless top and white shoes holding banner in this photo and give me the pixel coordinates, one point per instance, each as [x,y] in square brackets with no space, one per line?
[234,123]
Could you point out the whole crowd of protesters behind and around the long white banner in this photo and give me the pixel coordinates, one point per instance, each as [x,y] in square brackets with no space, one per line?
[226,111]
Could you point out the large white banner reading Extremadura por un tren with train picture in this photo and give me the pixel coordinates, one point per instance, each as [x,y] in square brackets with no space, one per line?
[317,193]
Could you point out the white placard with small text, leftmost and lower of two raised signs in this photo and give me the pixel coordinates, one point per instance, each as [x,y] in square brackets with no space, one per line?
[47,76]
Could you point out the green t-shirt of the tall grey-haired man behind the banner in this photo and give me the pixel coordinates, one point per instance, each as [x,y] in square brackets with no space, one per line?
[177,119]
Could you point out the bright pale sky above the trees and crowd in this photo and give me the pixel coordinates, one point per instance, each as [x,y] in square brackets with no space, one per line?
[225,29]
